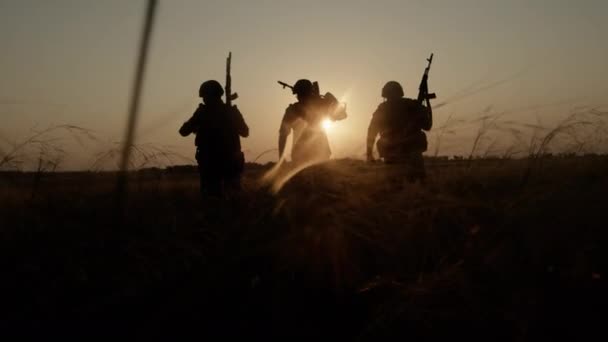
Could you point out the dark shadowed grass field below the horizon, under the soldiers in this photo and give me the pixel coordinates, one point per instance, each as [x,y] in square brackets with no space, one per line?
[487,249]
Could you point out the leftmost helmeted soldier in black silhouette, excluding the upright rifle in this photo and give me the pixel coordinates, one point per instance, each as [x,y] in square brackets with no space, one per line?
[218,128]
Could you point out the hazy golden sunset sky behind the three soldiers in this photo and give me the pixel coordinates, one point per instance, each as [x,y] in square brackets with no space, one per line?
[72,62]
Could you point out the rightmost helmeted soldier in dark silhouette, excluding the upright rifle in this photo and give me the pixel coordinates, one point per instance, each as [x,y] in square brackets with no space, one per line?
[399,121]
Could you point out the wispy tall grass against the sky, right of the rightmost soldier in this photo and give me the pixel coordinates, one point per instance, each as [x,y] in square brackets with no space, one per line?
[495,134]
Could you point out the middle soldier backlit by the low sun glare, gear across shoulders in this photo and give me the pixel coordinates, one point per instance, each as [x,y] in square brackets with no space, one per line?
[305,119]
